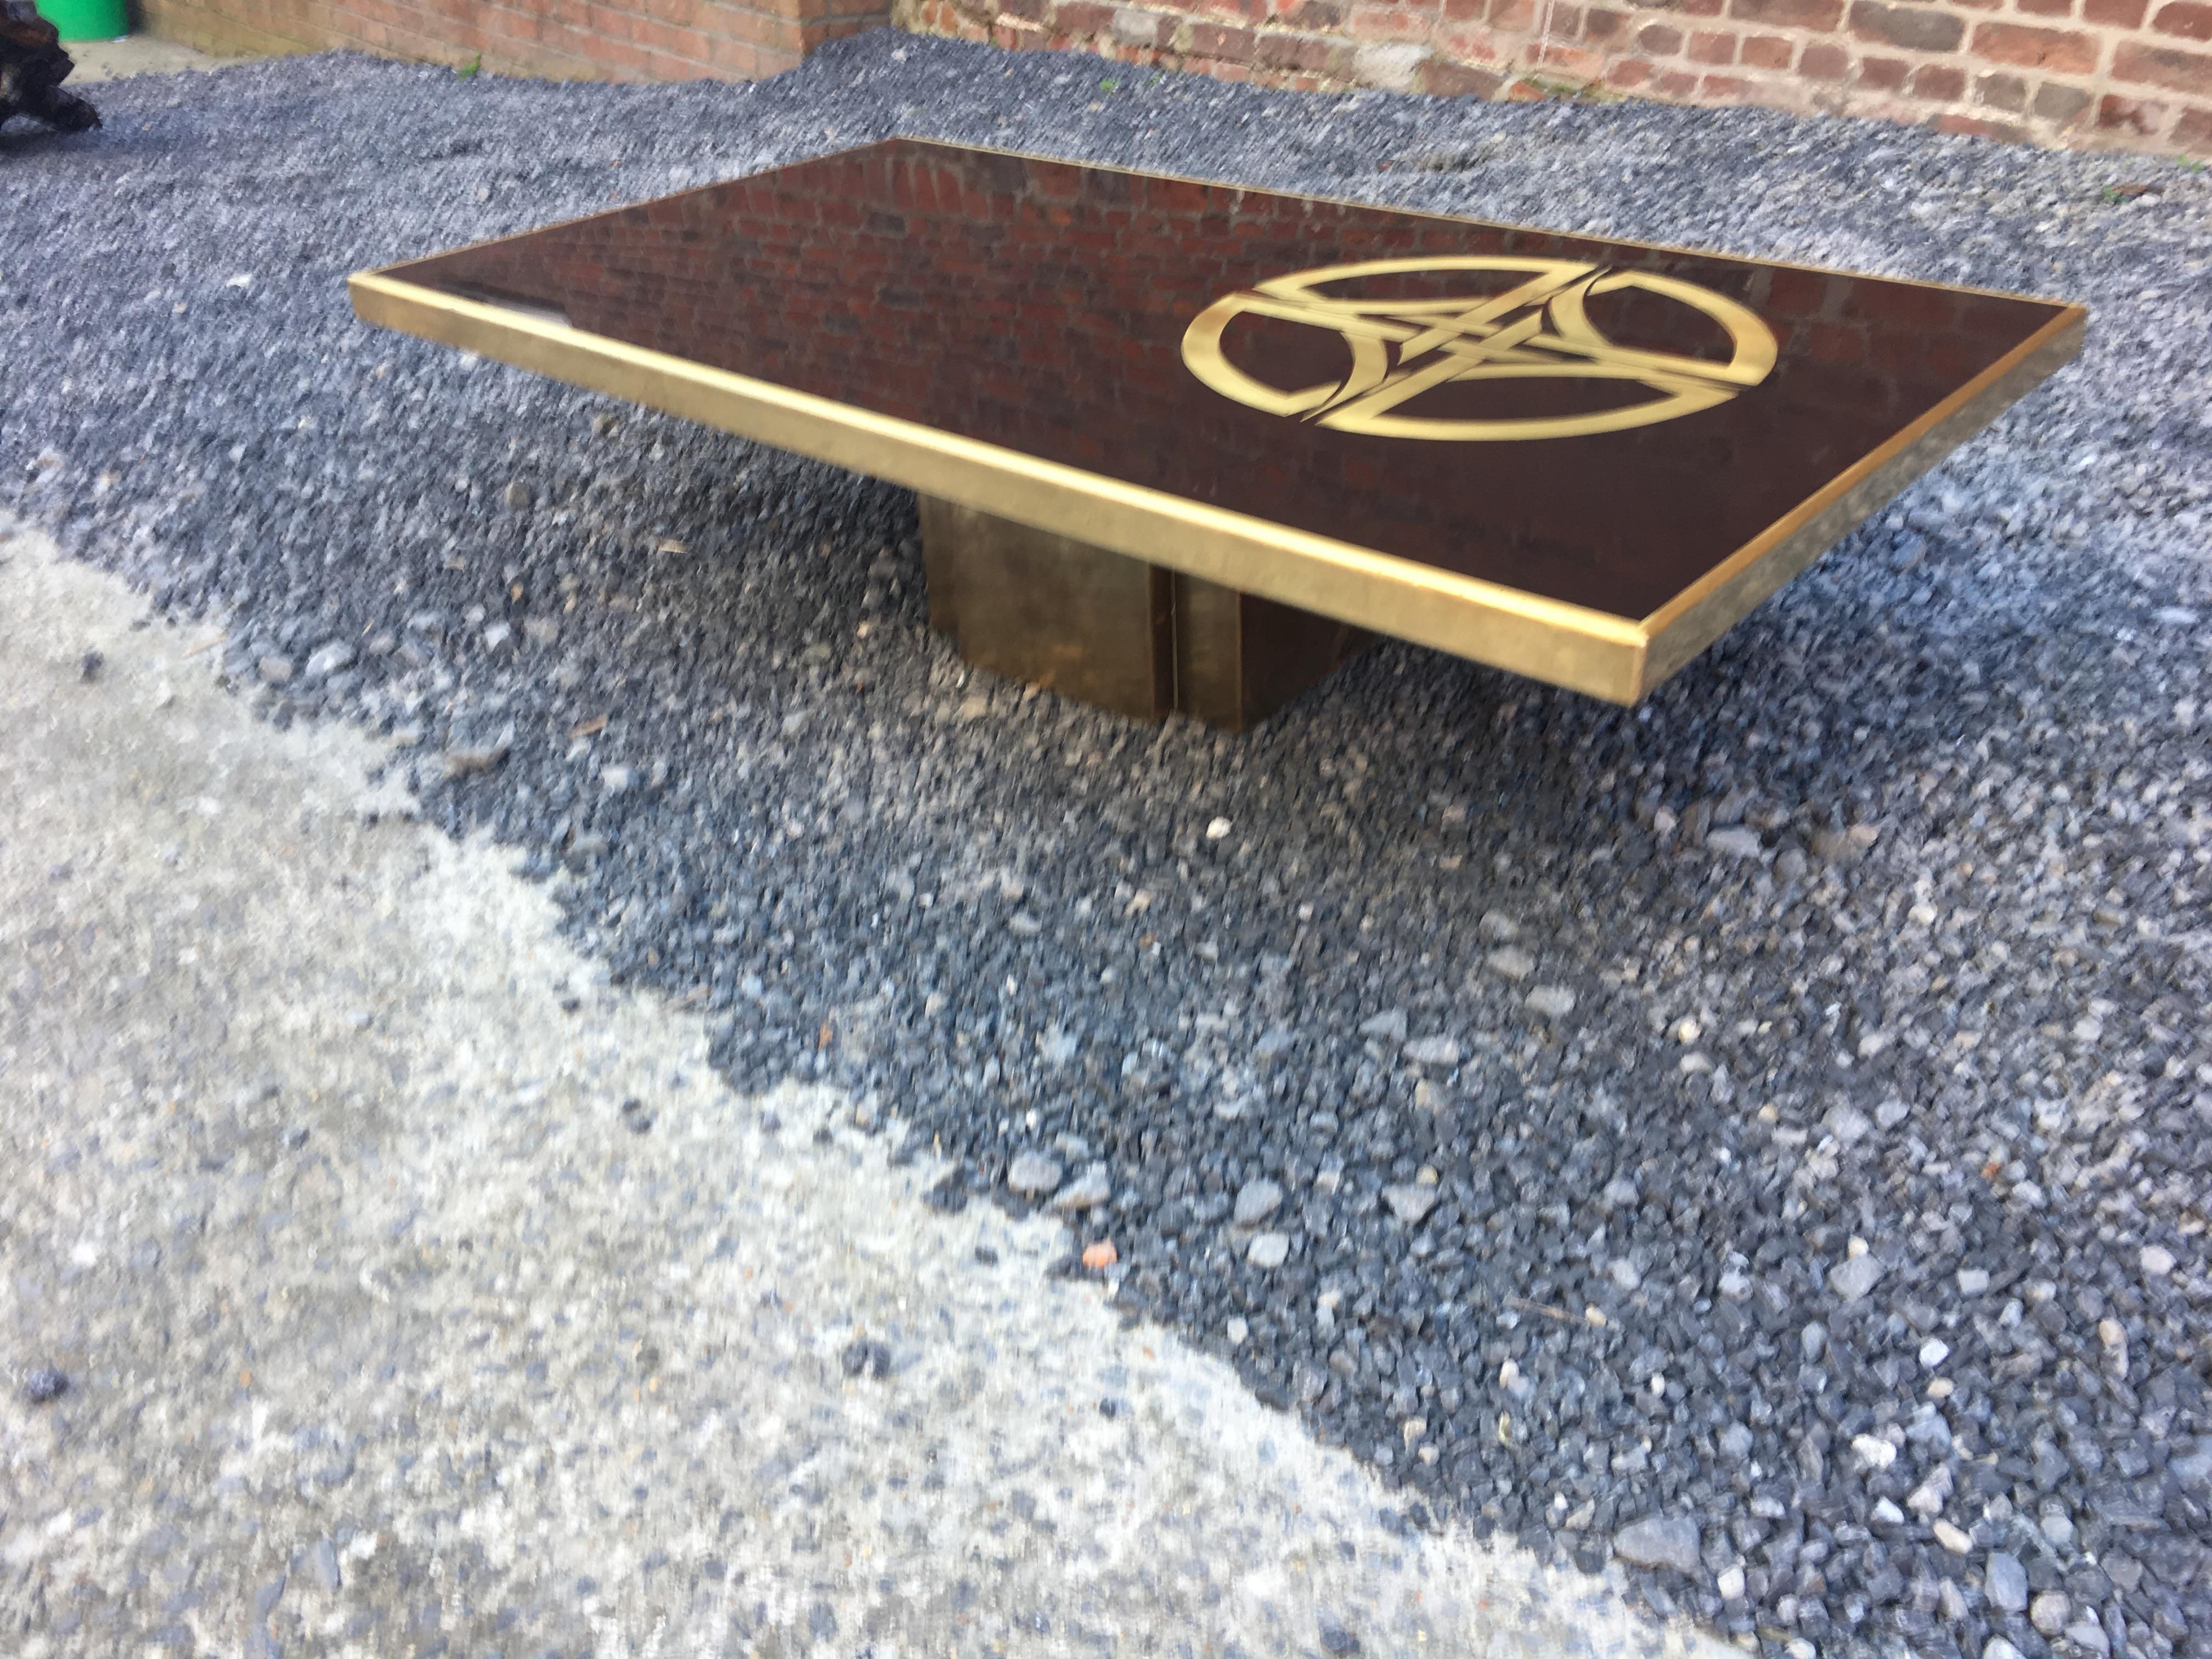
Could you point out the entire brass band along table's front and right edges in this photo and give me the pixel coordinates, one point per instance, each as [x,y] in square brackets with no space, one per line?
[1565,645]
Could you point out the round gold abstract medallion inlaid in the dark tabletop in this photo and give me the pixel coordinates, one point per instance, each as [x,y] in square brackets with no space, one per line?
[1536,331]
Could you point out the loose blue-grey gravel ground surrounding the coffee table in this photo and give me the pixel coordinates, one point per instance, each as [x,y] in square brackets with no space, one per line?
[1760,1138]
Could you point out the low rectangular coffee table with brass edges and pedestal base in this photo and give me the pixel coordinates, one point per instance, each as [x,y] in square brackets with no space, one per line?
[1189,446]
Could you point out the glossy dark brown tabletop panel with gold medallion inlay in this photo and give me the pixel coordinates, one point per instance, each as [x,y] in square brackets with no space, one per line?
[1580,419]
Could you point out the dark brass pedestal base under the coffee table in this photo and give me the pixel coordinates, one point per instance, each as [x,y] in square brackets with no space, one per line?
[1116,632]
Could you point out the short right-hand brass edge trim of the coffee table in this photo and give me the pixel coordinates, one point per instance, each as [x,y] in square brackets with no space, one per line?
[1733,589]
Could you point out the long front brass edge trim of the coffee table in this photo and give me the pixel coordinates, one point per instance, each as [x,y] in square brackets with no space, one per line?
[1525,634]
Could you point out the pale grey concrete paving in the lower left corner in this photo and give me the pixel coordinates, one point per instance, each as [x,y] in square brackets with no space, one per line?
[419,1295]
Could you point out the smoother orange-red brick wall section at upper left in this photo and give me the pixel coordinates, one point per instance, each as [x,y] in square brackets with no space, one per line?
[565,39]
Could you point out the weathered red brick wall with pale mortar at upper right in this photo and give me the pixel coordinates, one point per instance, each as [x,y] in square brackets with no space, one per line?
[2087,74]
